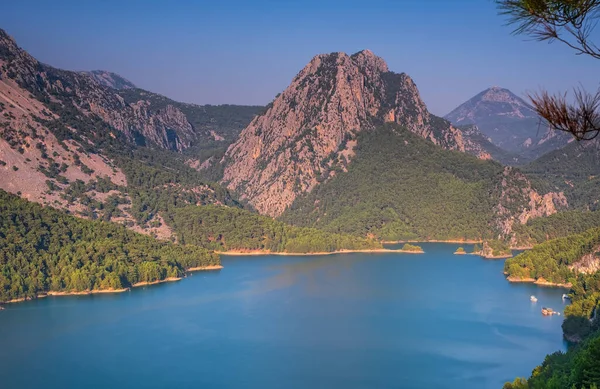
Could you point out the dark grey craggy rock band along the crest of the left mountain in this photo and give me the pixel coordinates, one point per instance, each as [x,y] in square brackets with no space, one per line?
[81,93]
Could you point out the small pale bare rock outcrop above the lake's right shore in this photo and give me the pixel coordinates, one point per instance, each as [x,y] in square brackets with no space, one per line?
[519,202]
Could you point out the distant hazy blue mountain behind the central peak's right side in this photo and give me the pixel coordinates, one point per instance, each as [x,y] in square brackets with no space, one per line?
[509,123]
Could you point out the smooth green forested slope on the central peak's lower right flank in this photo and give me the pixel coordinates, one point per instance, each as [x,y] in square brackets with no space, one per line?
[402,187]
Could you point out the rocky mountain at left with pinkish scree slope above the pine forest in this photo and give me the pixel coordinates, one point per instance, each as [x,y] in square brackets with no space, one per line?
[74,144]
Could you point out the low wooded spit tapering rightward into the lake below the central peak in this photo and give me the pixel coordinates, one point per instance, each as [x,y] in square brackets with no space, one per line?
[224,228]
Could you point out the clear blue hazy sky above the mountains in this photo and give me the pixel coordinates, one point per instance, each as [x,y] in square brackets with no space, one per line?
[245,52]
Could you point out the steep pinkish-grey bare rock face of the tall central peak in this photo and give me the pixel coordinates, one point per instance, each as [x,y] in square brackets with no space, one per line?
[312,125]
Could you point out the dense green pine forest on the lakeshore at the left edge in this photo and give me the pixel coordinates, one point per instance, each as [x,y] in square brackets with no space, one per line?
[43,250]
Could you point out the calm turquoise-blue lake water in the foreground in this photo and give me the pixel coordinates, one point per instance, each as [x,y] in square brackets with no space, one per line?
[435,320]
